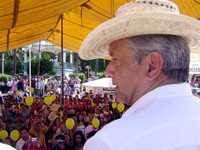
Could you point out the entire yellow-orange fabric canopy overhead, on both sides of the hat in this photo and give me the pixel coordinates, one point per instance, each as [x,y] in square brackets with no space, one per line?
[25,21]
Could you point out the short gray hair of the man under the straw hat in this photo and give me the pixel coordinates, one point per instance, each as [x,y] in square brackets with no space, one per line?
[173,49]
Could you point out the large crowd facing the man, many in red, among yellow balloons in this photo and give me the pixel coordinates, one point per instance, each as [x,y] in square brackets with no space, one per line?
[43,126]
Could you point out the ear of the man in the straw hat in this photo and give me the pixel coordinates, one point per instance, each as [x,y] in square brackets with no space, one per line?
[154,64]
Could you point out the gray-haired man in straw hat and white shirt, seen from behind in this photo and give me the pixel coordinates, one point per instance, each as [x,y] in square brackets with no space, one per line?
[149,45]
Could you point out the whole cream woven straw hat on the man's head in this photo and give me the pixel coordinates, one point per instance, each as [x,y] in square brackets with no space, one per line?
[141,18]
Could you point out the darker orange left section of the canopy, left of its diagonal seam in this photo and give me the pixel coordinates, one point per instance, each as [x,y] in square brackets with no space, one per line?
[25,21]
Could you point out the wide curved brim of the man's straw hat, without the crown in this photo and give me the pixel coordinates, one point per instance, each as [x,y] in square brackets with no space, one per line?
[96,44]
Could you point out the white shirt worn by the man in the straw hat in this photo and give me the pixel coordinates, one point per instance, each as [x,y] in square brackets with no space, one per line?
[167,118]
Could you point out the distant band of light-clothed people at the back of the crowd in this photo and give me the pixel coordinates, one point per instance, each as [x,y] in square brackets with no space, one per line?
[41,85]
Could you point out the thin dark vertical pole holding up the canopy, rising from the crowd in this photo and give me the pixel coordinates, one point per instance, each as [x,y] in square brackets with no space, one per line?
[62,63]
